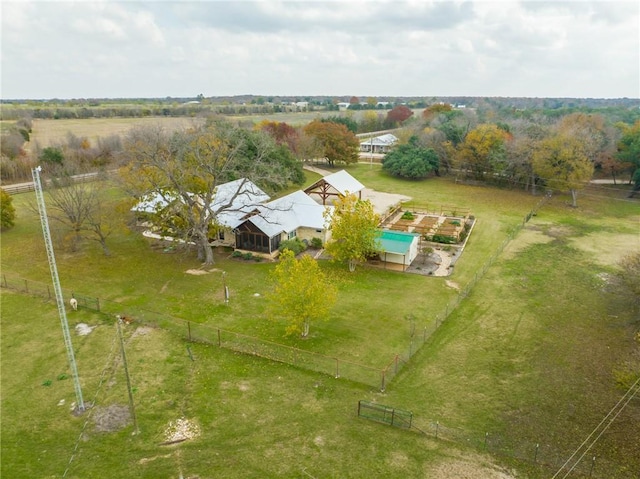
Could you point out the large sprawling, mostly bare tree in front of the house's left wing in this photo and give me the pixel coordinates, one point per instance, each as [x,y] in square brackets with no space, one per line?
[191,164]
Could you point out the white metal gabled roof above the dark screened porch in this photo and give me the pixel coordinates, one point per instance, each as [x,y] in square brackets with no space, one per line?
[289,213]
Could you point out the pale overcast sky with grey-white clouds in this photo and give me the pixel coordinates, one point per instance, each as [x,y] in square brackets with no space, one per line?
[180,49]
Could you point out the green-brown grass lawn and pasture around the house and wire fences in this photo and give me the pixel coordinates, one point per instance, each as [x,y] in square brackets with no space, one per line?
[531,356]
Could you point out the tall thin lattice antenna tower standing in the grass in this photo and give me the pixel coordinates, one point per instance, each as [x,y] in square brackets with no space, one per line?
[56,286]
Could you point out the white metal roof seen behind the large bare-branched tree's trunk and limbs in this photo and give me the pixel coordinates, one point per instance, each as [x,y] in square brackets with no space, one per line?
[232,201]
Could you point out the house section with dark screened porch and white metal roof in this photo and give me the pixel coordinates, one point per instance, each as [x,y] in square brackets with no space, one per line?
[294,215]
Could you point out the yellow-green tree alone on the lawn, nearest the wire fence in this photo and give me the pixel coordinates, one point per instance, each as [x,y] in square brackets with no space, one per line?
[302,293]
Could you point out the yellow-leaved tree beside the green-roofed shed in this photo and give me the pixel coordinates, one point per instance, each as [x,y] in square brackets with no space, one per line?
[353,225]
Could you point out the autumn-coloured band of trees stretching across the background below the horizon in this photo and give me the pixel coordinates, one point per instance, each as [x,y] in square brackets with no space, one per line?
[491,142]
